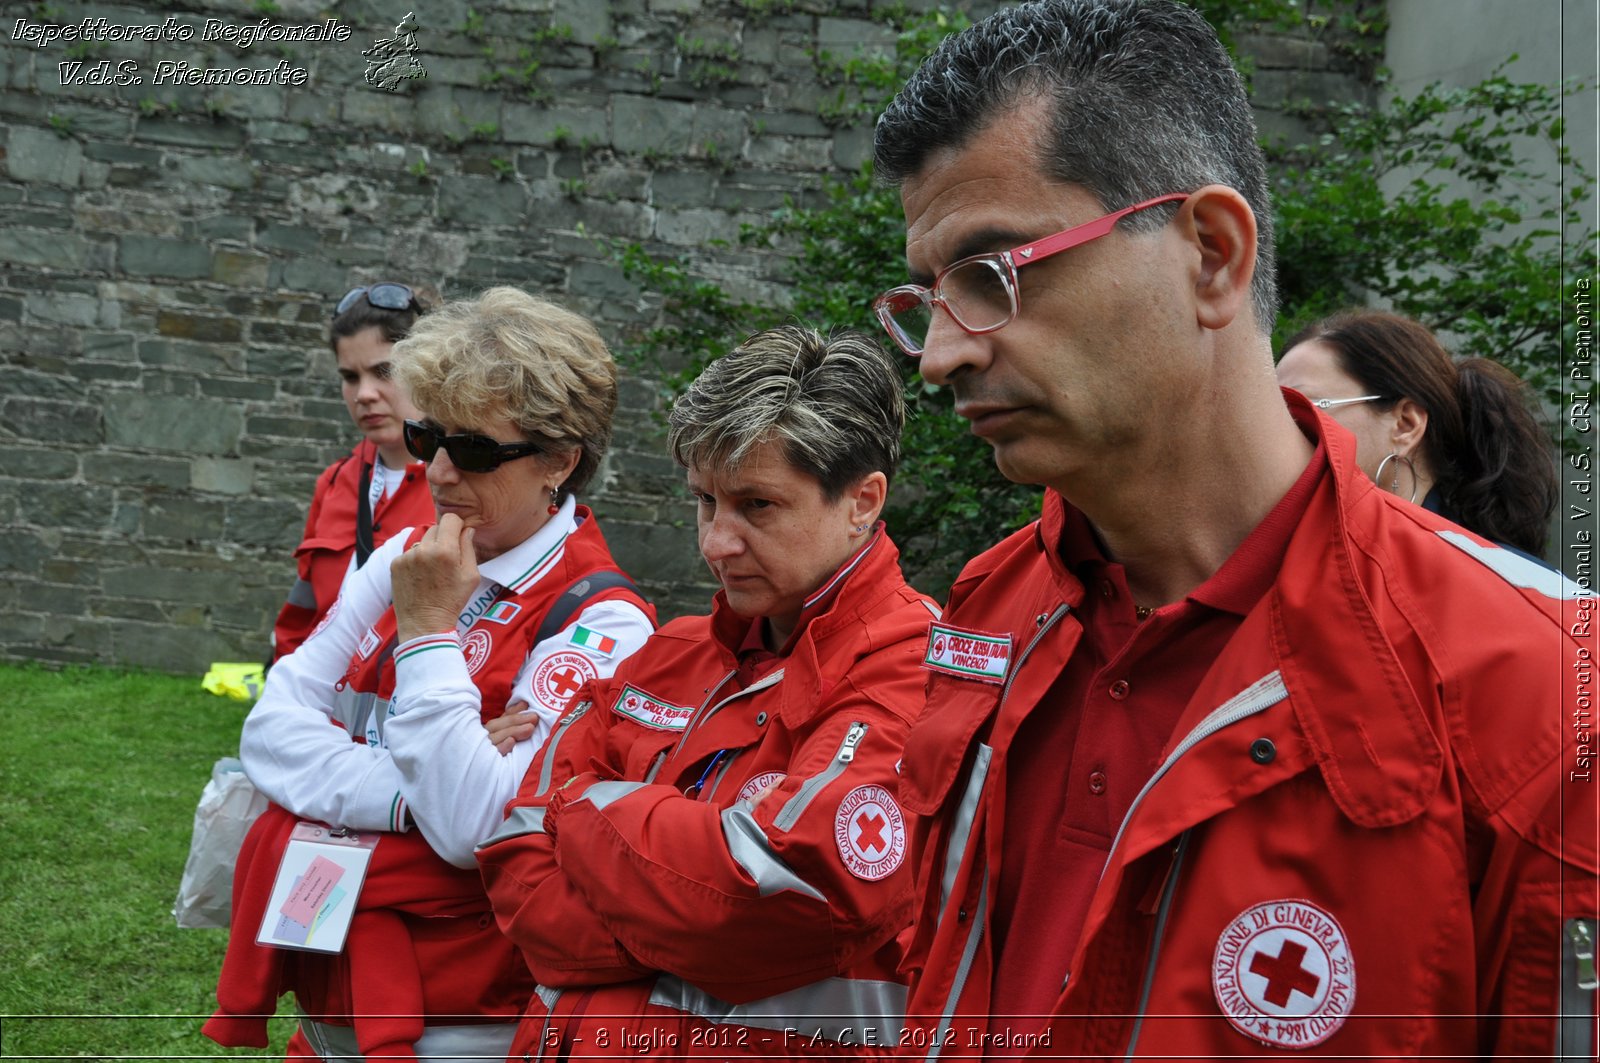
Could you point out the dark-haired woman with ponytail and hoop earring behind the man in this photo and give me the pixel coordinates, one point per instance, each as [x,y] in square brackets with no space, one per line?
[1457,438]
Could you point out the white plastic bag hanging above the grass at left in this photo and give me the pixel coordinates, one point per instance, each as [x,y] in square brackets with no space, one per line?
[228,806]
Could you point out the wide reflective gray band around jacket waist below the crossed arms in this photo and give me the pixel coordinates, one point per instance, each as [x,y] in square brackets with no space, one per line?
[858,1005]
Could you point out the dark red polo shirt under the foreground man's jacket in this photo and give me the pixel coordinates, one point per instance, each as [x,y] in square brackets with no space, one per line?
[1076,771]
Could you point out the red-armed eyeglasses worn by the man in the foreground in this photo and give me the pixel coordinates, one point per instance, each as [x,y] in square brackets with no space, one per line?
[980,292]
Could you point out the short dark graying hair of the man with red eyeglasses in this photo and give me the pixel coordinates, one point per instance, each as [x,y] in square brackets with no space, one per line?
[1146,103]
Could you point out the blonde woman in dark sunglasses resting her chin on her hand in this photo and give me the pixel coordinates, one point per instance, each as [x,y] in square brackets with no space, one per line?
[511,603]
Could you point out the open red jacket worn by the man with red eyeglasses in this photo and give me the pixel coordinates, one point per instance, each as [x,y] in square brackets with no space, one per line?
[1372,835]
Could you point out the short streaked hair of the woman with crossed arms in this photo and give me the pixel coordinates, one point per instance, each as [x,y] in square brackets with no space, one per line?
[834,404]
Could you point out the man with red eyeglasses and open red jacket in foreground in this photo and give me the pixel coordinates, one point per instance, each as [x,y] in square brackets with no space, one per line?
[1230,753]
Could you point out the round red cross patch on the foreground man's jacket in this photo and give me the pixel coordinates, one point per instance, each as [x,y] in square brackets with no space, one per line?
[1284,974]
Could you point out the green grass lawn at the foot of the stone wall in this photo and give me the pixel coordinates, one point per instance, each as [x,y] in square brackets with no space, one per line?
[100,774]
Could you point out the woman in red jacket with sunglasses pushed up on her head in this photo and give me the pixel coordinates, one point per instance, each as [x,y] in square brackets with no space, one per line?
[375,491]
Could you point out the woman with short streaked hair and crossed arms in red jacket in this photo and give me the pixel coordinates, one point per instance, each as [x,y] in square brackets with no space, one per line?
[710,854]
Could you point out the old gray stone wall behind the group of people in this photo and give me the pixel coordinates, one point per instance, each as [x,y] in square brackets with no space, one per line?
[169,255]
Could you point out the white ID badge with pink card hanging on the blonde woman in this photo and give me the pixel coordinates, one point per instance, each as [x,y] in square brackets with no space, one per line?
[316,889]
